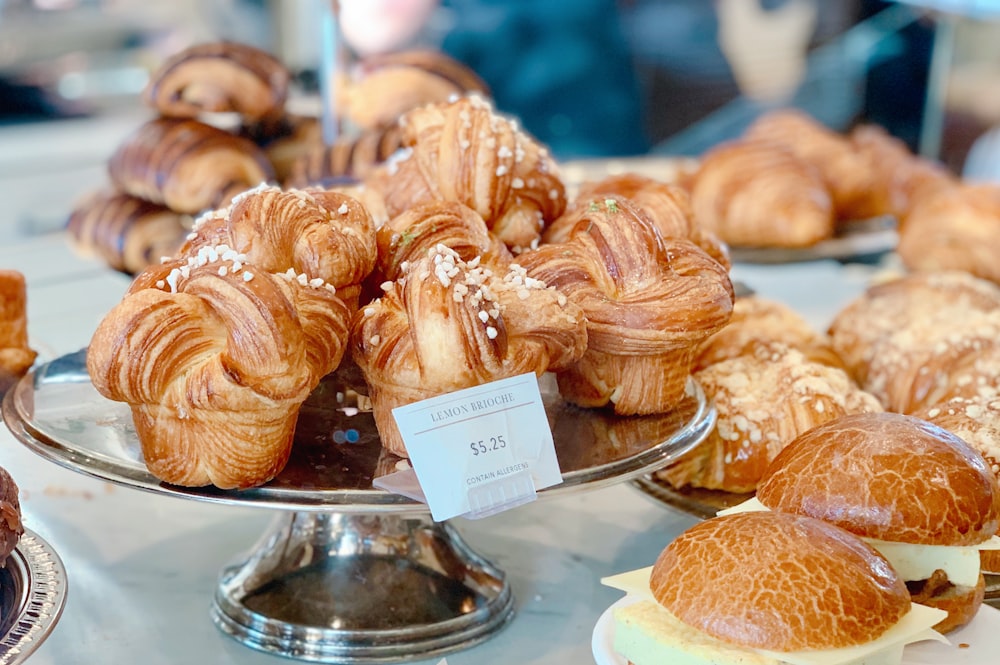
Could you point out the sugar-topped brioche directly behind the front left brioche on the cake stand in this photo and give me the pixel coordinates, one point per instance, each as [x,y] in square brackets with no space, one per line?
[321,234]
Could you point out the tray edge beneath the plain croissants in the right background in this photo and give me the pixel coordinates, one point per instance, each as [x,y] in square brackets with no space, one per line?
[857,241]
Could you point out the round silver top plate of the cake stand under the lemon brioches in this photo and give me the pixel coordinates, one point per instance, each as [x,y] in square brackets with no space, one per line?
[337,453]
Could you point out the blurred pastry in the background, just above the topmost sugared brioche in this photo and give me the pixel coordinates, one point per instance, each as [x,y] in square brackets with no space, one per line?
[381,88]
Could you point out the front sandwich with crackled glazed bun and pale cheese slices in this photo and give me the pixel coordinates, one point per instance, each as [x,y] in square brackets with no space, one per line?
[767,588]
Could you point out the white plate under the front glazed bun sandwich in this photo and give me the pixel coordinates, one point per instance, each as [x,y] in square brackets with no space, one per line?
[978,643]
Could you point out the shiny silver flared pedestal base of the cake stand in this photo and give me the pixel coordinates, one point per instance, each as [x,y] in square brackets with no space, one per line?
[361,588]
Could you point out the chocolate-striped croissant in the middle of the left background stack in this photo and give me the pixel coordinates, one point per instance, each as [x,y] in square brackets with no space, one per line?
[186,165]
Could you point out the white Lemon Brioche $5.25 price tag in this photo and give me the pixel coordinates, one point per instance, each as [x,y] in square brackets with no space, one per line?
[480,450]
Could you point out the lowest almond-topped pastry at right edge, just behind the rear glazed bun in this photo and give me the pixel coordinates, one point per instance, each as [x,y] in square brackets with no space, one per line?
[975,420]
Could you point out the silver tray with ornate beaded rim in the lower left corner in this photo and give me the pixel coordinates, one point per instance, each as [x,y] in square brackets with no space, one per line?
[32,594]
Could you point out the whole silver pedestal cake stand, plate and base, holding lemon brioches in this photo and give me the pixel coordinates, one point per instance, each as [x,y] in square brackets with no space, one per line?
[346,573]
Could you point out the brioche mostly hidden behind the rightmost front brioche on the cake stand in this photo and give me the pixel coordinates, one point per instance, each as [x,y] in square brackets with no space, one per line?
[667,205]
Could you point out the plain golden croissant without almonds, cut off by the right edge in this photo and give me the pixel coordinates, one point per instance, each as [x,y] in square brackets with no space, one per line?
[954,228]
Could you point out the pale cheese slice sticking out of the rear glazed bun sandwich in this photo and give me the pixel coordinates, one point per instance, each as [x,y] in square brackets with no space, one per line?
[914,562]
